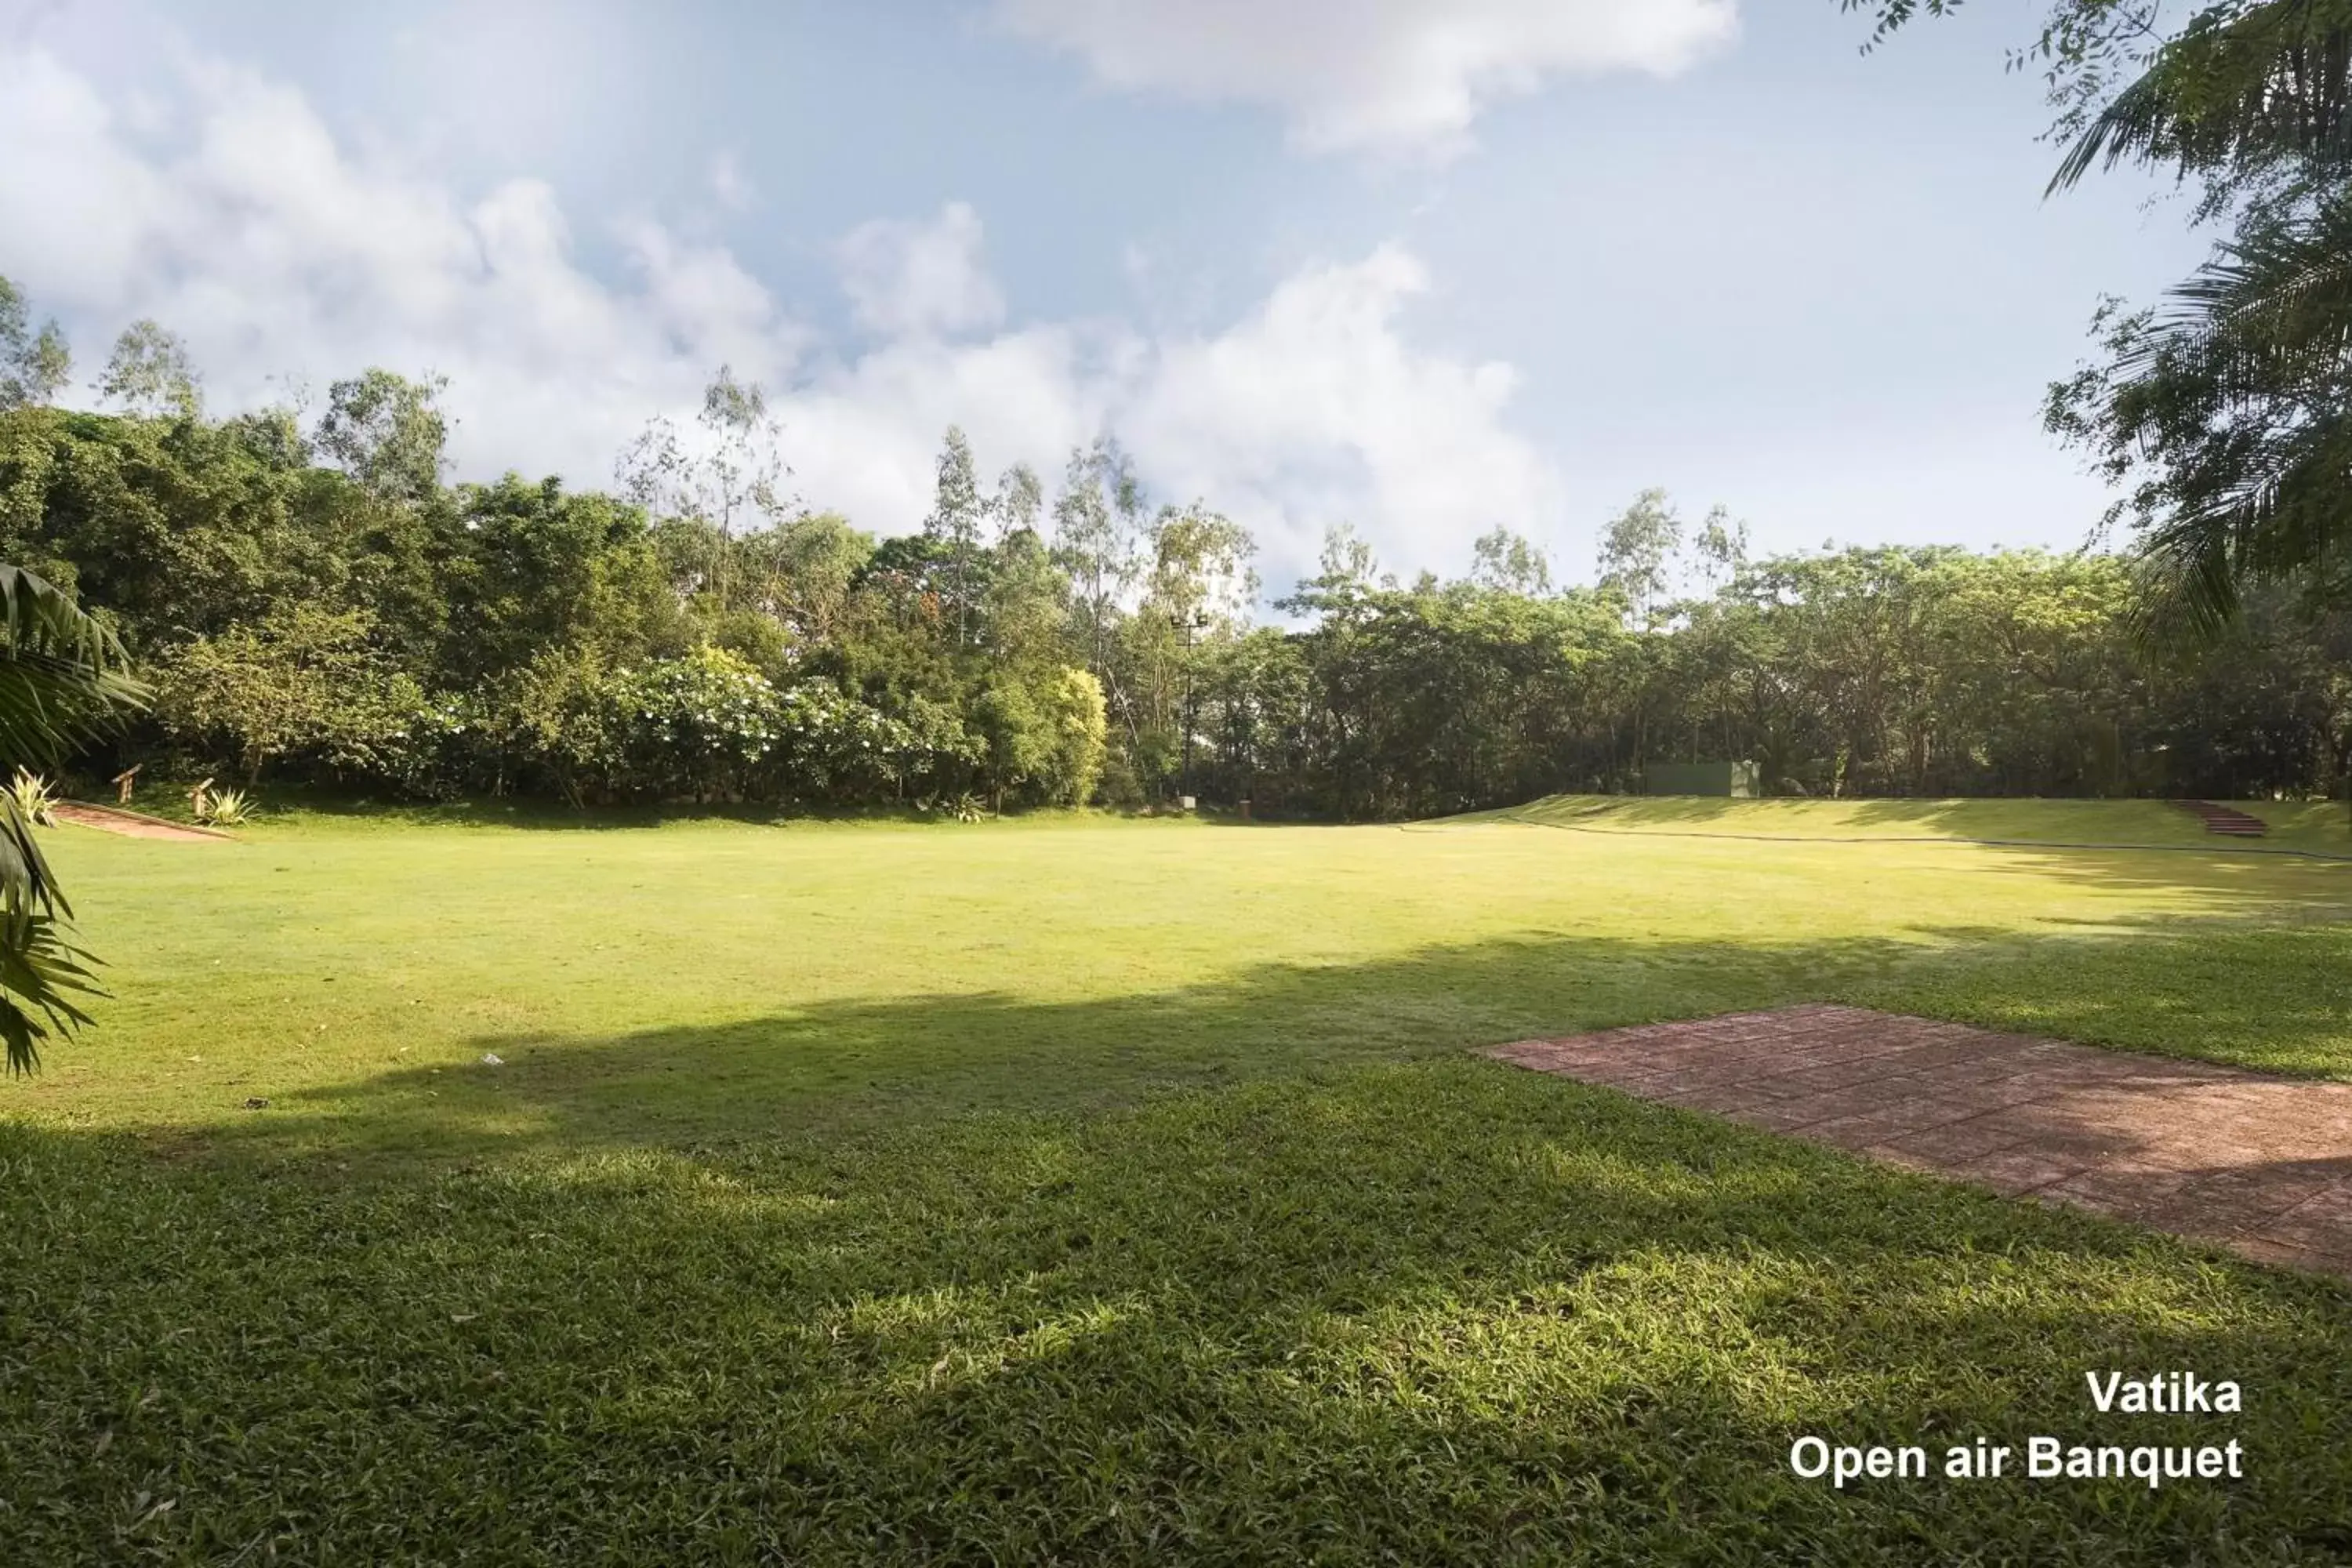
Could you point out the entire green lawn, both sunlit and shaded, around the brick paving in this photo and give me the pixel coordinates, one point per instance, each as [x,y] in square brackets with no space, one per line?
[1107,1191]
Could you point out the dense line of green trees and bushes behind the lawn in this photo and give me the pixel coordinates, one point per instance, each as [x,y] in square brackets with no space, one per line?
[312,601]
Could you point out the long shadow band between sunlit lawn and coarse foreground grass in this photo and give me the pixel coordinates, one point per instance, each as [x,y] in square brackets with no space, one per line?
[2271,998]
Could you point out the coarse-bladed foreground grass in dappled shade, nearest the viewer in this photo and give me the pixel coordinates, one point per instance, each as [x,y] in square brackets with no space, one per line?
[1438,1313]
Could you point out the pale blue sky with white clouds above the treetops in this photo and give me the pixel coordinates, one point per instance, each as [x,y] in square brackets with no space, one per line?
[1415,267]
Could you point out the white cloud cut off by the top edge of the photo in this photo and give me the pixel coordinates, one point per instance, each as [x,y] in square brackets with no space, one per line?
[1394,76]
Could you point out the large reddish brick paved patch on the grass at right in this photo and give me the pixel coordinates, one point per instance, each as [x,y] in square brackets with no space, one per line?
[2226,1155]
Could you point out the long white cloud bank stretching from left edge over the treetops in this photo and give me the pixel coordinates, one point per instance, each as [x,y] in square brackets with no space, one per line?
[239,220]
